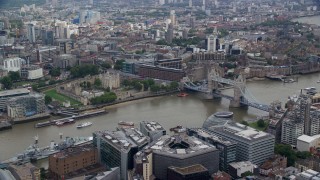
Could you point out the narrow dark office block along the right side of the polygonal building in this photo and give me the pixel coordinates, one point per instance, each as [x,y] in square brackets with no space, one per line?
[227,148]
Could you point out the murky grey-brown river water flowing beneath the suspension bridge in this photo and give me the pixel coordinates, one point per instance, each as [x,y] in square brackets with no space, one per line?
[168,110]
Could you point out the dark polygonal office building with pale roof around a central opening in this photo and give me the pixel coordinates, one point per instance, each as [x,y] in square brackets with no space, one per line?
[181,150]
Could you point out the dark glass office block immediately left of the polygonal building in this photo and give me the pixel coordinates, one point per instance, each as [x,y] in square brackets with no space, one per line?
[117,148]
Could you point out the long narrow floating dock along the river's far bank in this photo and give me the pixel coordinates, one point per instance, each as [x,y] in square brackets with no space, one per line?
[75,117]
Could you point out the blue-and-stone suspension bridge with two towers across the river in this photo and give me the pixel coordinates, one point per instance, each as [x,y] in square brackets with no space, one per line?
[210,88]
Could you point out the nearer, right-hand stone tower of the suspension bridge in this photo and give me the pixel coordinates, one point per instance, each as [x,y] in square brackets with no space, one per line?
[239,90]
